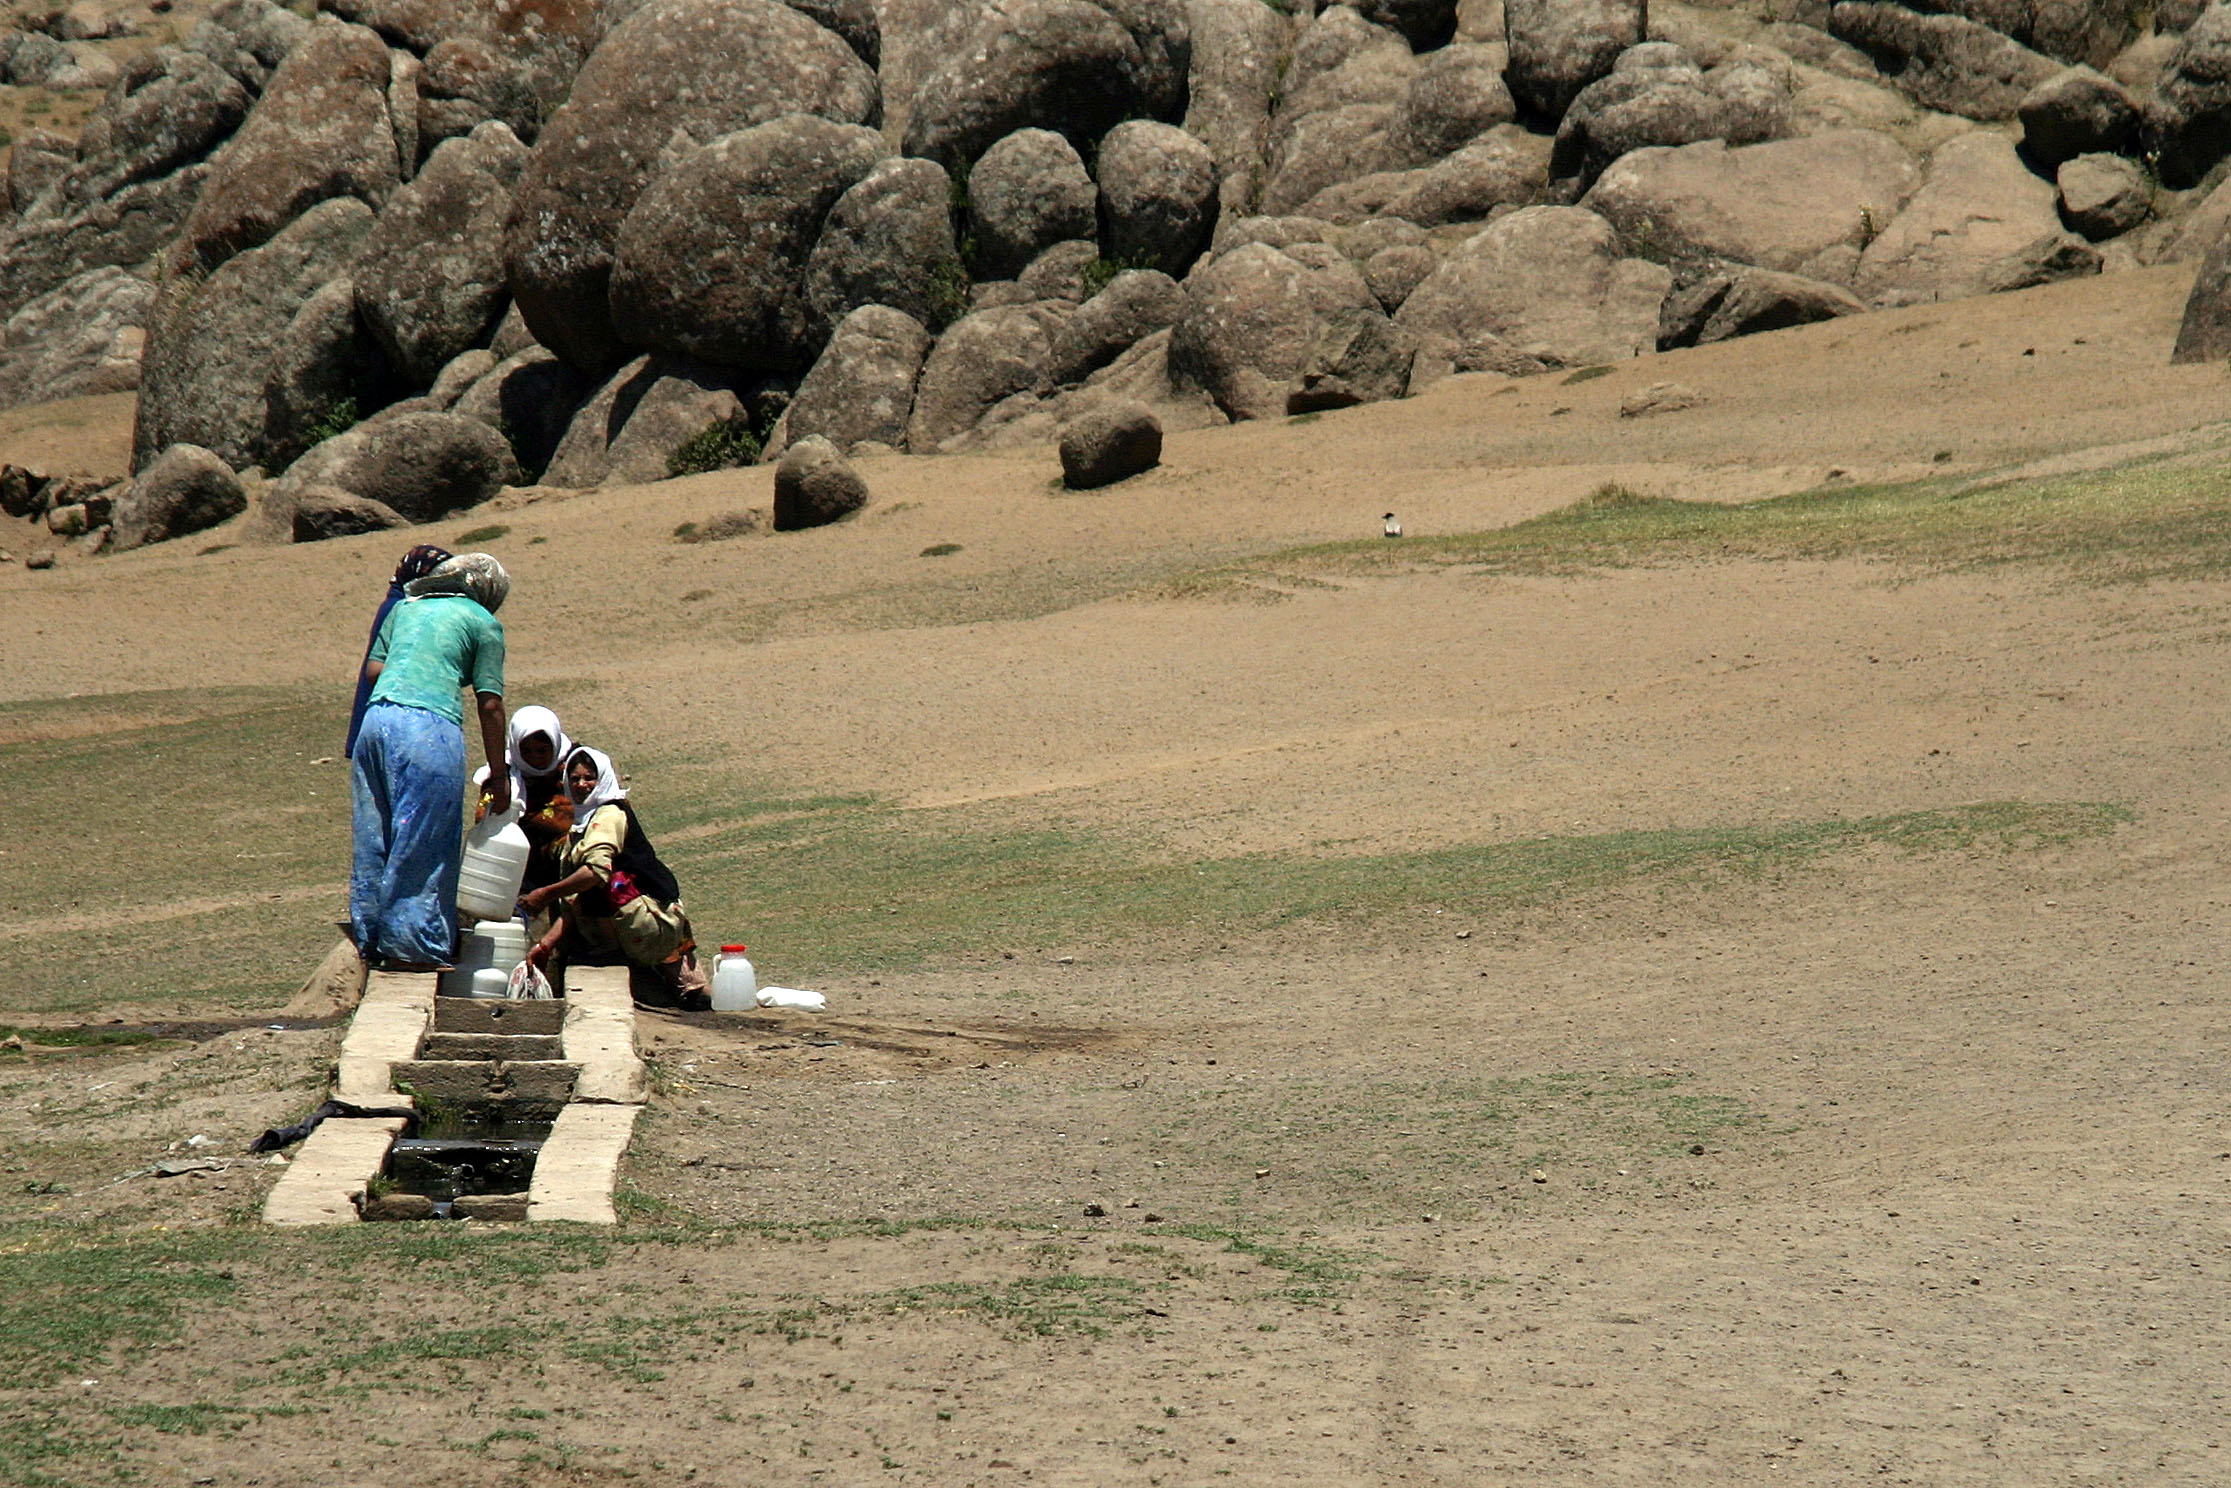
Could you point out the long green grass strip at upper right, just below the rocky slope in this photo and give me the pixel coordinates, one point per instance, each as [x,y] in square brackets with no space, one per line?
[2129,525]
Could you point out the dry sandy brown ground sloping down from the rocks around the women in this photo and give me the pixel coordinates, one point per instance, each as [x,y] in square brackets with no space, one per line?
[1897,1157]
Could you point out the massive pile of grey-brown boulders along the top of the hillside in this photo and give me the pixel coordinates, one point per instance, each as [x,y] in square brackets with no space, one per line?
[405,253]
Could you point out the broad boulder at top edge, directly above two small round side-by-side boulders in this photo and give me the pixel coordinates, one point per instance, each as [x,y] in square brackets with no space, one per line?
[1065,66]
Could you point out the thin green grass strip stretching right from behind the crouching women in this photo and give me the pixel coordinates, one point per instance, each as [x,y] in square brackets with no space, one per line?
[869,889]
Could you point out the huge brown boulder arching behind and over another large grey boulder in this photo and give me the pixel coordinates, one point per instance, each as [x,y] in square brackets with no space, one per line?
[675,73]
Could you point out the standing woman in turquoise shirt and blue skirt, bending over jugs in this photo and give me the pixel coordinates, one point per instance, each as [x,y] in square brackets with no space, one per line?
[409,762]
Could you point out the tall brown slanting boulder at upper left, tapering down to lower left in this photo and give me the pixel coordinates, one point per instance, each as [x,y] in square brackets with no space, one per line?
[320,131]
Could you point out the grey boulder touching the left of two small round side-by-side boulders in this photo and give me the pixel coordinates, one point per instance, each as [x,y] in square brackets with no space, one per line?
[889,242]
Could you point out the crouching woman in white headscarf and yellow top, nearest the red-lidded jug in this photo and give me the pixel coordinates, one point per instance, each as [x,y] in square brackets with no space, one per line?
[617,902]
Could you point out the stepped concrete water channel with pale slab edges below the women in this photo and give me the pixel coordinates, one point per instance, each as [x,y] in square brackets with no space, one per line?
[523,1108]
